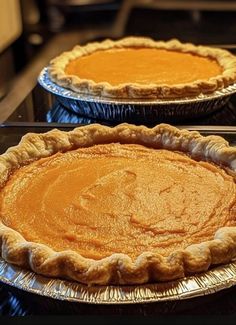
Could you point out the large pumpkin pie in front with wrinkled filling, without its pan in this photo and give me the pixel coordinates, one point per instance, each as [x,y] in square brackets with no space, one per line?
[121,205]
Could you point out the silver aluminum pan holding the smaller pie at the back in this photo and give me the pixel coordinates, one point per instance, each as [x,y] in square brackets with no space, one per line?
[135,110]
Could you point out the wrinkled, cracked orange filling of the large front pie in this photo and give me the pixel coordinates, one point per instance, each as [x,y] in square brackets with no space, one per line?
[118,198]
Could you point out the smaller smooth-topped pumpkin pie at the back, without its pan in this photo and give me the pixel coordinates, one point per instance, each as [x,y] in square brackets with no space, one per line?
[138,67]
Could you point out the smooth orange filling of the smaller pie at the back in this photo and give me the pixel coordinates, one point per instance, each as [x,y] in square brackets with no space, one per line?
[143,66]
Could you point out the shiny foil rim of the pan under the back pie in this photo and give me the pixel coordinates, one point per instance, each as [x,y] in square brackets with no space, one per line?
[45,81]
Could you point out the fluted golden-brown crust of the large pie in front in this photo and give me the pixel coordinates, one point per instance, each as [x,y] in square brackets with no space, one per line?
[118,268]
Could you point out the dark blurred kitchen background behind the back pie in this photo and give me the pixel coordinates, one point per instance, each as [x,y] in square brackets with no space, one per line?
[28,26]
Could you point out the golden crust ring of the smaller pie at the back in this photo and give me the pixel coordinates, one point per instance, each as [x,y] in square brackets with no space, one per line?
[131,90]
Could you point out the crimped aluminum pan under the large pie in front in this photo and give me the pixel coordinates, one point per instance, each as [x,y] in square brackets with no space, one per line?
[212,281]
